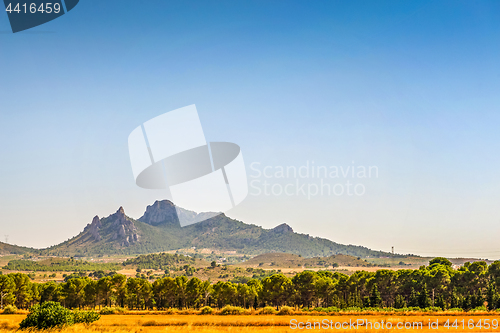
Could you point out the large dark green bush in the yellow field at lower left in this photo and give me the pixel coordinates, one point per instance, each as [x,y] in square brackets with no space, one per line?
[52,314]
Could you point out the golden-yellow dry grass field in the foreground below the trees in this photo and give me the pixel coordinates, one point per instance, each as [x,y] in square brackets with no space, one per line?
[270,323]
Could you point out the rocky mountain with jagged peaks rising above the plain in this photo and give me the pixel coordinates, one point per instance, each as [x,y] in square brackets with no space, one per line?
[159,230]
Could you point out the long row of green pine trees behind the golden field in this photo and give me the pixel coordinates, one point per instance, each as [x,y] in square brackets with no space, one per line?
[437,285]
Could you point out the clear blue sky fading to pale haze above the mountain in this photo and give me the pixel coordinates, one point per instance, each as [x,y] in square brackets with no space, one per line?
[411,87]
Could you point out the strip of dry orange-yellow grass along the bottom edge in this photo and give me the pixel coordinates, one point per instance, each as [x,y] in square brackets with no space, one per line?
[241,324]
